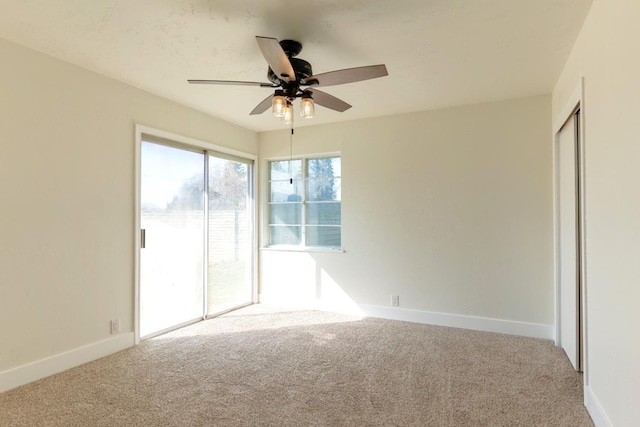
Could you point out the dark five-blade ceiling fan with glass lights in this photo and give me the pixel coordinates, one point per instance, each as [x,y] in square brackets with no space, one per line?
[293,78]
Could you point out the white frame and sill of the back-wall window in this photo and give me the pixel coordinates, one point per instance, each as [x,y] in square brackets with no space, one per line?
[302,247]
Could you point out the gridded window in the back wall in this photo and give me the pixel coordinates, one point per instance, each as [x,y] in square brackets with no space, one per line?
[304,202]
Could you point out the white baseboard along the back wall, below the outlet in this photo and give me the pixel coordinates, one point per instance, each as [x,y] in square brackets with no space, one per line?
[509,327]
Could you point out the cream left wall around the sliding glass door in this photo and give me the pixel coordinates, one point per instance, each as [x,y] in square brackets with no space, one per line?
[67,200]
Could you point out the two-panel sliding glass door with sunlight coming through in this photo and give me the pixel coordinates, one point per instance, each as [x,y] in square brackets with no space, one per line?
[196,217]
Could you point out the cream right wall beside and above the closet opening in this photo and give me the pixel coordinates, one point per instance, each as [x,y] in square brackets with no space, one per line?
[607,54]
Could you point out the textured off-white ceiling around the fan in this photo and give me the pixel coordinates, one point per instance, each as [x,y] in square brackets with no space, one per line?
[439,53]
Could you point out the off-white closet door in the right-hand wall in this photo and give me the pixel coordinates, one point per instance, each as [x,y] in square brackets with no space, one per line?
[568,236]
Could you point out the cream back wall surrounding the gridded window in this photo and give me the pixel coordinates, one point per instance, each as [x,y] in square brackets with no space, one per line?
[449,209]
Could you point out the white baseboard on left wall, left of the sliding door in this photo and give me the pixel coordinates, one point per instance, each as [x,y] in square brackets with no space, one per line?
[33,371]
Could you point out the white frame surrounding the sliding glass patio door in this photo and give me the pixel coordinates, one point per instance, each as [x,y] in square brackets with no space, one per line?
[140,131]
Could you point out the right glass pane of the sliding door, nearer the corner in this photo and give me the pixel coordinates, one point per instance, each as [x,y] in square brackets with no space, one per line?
[230,254]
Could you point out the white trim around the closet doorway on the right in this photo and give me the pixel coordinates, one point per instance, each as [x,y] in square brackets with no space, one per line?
[575,103]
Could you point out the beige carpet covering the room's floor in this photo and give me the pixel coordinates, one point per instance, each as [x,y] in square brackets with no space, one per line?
[308,368]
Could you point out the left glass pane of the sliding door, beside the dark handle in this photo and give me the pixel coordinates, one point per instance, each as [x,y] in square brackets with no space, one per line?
[172,214]
